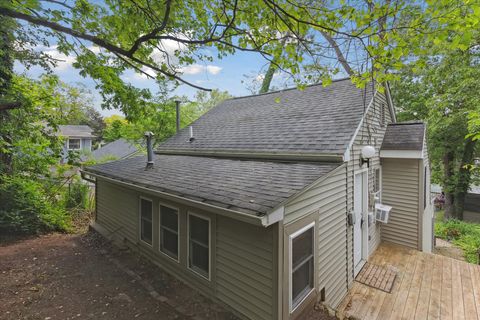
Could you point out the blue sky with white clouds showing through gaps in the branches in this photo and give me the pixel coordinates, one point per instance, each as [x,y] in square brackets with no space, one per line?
[226,75]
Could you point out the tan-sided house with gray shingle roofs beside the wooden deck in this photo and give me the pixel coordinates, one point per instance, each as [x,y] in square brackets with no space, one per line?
[267,203]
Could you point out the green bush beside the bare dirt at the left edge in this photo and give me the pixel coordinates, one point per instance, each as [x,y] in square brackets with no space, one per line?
[25,208]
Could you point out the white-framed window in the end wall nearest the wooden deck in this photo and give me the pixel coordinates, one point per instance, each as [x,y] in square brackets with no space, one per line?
[302,265]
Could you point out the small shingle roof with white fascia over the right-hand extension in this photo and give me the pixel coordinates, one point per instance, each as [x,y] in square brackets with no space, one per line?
[404,136]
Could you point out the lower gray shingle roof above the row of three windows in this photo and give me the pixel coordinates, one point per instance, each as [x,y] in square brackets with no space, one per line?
[253,187]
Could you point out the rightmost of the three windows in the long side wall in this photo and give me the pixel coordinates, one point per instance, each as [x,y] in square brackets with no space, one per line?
[199,245]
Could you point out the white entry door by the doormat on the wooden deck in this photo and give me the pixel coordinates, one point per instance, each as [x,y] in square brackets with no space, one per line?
[359,228]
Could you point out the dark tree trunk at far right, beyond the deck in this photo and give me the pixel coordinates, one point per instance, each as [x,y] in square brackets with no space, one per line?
[464,178]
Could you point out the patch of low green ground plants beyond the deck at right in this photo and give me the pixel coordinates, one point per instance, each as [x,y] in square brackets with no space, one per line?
[465,235]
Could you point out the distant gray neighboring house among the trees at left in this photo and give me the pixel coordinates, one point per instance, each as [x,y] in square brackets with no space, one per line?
[77,138]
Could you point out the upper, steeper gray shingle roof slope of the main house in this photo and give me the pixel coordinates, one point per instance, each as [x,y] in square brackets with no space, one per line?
[318,120]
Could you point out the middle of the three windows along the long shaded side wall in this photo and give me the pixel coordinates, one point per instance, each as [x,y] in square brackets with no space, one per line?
[169,231]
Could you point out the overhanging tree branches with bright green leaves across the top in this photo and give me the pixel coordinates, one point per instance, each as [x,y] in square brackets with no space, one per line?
[365,39]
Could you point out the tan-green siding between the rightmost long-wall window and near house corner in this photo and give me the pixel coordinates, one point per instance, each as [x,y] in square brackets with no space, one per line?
[245,268]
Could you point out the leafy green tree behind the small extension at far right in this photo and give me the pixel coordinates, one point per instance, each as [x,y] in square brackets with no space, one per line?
[443,93]
